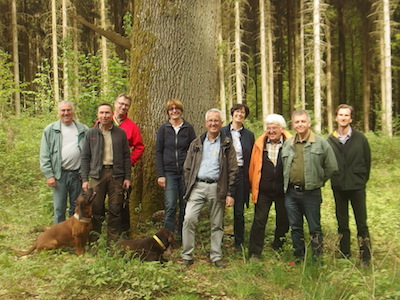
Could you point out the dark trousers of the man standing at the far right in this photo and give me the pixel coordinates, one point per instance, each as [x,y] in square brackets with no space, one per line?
[357,199]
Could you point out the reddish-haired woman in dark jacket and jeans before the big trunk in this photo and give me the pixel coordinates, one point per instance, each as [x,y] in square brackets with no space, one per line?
[173,140]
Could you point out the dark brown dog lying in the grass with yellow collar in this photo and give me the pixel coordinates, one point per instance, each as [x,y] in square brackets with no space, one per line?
[150,249]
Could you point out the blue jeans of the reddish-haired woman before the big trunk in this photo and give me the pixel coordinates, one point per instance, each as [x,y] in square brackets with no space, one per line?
[173,194]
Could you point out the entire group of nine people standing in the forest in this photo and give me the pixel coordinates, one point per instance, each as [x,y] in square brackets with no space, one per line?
[221,167]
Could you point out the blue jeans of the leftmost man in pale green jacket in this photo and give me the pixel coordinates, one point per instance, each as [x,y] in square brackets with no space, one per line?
[69,184]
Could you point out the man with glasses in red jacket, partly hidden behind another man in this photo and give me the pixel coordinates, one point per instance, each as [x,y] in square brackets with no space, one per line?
[120,118]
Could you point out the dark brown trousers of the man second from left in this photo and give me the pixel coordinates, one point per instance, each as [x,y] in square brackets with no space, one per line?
[107,185]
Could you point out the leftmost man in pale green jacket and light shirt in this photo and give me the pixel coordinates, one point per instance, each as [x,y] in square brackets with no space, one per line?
[60,159]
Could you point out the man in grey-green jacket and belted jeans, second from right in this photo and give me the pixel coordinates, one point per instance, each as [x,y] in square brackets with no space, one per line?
[308,162]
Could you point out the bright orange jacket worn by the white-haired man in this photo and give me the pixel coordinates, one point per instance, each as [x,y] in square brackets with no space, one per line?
[256,163]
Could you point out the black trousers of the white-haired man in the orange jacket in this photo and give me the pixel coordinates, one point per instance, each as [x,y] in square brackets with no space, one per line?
[261,212]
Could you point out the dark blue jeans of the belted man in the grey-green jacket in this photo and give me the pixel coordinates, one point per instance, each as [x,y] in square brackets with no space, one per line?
[308,204]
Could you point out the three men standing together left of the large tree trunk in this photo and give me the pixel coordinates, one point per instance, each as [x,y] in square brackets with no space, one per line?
[70,153]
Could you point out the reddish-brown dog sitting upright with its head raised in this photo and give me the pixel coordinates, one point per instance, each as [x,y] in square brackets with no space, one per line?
[73,231]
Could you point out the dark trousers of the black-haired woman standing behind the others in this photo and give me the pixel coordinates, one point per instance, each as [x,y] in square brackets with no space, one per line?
[238,210]
